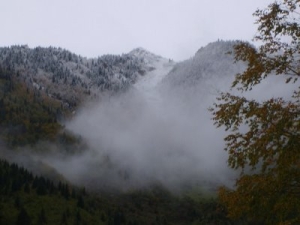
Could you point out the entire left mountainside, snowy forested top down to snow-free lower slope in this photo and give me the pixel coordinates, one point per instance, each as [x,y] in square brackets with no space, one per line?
[41,87]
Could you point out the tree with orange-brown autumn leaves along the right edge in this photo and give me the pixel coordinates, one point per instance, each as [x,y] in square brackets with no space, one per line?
[269,141]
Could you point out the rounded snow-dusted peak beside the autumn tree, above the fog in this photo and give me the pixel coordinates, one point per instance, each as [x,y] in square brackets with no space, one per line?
[211,69]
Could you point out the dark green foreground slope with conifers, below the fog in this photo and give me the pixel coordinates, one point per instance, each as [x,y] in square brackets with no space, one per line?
[61,203]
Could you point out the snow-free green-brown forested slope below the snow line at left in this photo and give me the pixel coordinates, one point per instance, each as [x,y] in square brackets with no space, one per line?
[26,115]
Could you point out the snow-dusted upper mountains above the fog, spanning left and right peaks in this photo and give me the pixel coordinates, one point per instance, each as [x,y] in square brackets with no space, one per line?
[72,79]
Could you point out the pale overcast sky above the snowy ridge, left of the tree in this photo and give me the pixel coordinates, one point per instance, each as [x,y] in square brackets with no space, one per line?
[171,28]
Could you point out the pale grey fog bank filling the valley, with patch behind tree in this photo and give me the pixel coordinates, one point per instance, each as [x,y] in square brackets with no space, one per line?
[155,133]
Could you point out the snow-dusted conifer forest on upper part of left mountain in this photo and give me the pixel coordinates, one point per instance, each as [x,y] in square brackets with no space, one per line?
[71,78]
